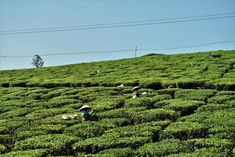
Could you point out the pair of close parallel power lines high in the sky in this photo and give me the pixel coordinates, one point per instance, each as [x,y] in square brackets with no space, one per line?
[120,24]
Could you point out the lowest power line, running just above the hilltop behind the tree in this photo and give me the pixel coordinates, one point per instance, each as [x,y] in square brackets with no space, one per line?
[124,50]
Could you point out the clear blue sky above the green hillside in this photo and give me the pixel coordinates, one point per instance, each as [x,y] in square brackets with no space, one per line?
[76,31]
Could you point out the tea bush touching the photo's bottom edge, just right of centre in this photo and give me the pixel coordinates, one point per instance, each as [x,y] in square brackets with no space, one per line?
[162,148]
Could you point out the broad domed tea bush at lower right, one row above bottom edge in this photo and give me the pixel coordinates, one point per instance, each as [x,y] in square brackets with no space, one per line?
[184,130]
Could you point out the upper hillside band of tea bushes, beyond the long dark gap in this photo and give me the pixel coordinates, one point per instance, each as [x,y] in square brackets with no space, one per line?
[210,70]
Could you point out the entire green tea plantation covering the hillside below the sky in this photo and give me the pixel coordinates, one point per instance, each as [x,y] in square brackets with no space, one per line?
[186,109]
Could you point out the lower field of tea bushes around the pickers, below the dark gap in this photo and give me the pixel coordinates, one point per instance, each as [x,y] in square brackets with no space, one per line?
[164,122]
